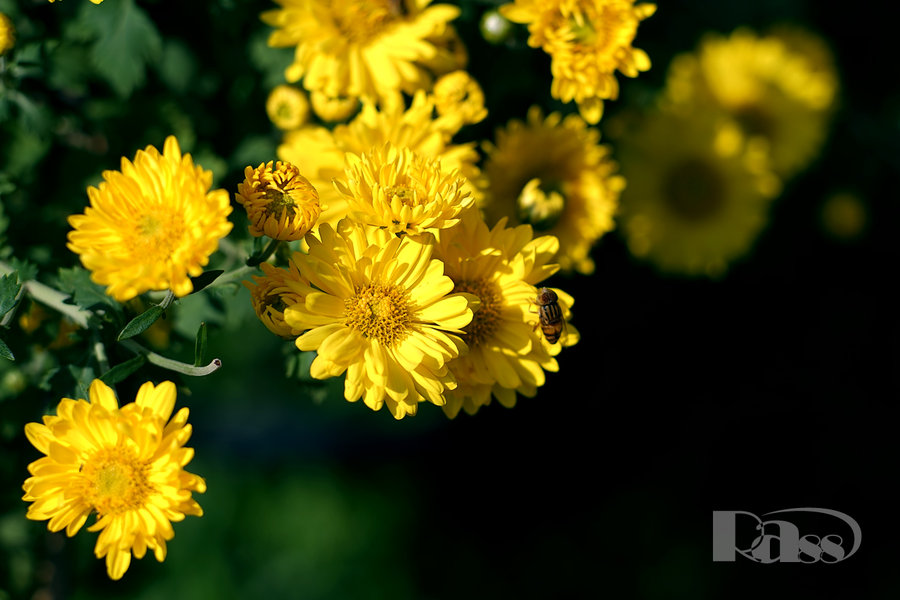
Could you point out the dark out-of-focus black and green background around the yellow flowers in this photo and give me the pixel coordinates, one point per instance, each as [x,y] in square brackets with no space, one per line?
[771,387]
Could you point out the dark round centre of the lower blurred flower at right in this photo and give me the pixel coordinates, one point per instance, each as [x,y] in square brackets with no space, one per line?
[694,190]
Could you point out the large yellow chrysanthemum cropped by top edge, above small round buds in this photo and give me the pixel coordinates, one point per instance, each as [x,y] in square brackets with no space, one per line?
[368,49]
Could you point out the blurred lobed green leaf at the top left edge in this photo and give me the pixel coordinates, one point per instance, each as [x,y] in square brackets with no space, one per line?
[126,42]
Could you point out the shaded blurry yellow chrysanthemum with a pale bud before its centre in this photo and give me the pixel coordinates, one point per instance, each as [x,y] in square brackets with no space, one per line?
[553,174]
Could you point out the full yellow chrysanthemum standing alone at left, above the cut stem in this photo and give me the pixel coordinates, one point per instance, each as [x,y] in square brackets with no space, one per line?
[152,225]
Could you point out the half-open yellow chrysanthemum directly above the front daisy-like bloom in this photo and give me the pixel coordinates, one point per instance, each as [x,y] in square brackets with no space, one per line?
[402,192]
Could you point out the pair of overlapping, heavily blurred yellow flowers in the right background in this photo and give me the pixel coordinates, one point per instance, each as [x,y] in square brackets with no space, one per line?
[737,118]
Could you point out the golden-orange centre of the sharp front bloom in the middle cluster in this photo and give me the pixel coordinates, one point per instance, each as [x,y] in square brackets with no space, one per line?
[379,310]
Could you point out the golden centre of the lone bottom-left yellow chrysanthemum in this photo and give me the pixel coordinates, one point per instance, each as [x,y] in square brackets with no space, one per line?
[116,481]
